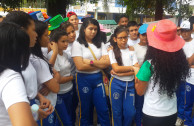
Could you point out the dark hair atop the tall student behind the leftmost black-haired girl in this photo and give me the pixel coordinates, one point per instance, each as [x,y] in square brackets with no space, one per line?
[20,18]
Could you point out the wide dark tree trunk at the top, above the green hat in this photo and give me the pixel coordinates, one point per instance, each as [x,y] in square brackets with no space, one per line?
[55,7]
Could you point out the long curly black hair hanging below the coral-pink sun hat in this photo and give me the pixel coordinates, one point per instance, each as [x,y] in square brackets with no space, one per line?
[169,69]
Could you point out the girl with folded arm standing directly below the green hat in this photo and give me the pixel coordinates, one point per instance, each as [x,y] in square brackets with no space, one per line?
[64,106]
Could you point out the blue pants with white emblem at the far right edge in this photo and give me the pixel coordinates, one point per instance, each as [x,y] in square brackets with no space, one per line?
[189,105]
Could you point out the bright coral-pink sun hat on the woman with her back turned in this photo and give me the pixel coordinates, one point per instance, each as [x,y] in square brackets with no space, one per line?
[162,35]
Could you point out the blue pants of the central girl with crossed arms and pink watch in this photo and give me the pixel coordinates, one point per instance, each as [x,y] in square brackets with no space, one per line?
[90,91]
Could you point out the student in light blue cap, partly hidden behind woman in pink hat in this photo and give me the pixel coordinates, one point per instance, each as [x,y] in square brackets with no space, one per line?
[140,51]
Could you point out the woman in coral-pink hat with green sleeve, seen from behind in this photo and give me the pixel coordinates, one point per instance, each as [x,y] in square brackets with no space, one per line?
[164,68]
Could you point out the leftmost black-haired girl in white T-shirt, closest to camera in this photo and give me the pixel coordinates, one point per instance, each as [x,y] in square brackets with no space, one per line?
[14,104]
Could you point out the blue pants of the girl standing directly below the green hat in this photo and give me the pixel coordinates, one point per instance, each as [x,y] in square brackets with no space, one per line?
[64,109]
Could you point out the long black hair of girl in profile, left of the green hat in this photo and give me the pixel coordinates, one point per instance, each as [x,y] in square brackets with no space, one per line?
[40,28]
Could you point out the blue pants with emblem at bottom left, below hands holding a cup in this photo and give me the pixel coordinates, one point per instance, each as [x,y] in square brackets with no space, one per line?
[49,121]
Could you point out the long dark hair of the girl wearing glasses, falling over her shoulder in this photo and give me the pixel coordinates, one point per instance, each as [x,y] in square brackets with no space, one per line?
[116,49]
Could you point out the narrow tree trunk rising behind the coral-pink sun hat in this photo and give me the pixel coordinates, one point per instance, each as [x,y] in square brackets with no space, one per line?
[159,10]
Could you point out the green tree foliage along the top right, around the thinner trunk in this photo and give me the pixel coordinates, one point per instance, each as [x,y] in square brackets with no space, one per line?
[148,7]
